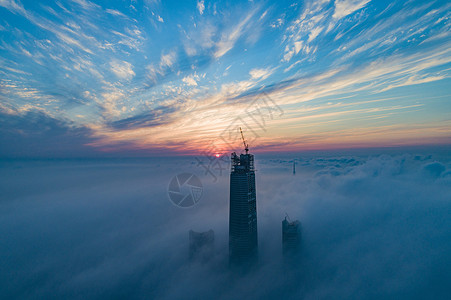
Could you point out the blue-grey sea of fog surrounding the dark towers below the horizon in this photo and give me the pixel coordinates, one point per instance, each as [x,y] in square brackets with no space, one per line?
[374,226]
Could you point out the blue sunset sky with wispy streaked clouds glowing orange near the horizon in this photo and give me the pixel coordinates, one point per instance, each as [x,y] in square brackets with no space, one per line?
[83,78]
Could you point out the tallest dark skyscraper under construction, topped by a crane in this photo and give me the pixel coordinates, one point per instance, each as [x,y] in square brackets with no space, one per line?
[243,239]
